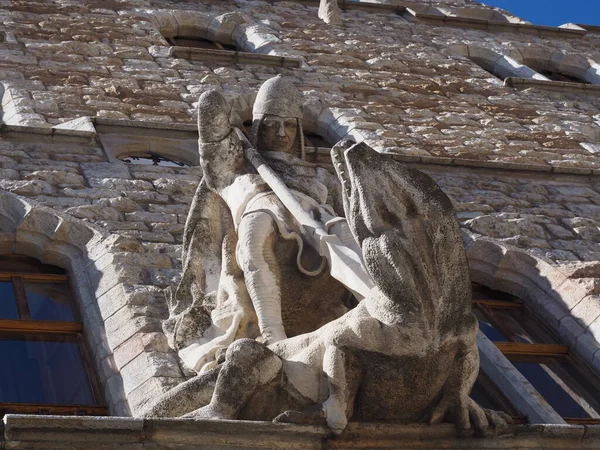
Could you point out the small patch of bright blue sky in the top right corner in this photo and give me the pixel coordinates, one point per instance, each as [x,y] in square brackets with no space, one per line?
[552,12]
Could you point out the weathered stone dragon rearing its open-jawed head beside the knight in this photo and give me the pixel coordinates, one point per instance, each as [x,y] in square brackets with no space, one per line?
[406,353]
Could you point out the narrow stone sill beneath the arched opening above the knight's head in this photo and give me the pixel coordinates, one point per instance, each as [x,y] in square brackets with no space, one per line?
[229,56]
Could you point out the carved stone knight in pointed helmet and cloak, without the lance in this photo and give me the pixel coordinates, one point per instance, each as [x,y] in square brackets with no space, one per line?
[248,271]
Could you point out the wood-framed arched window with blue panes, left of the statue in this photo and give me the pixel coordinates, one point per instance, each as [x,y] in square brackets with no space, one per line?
[45,365]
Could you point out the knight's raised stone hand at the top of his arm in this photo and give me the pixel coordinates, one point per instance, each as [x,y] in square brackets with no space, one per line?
[213,117]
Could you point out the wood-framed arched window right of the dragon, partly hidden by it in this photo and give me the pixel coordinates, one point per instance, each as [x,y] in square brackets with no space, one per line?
[569,386]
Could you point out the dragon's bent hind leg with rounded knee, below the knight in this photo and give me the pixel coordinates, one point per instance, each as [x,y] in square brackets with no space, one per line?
[248,366]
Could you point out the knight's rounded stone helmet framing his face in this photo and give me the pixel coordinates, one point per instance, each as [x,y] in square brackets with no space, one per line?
[278,97]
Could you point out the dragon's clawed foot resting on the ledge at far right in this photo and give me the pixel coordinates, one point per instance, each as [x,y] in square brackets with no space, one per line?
[469,417]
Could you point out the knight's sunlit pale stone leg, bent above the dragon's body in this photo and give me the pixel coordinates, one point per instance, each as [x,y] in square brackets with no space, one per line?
[255,256]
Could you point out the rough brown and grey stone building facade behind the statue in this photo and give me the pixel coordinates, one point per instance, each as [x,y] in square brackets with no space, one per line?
[86,82]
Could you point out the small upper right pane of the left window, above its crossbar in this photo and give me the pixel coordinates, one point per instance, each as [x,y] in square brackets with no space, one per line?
[49,301]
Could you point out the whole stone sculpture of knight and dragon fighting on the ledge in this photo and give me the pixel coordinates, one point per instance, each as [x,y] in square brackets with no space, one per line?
[406,353]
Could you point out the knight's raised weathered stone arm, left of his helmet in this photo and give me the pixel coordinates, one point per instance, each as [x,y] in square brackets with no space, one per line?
[221,153]
